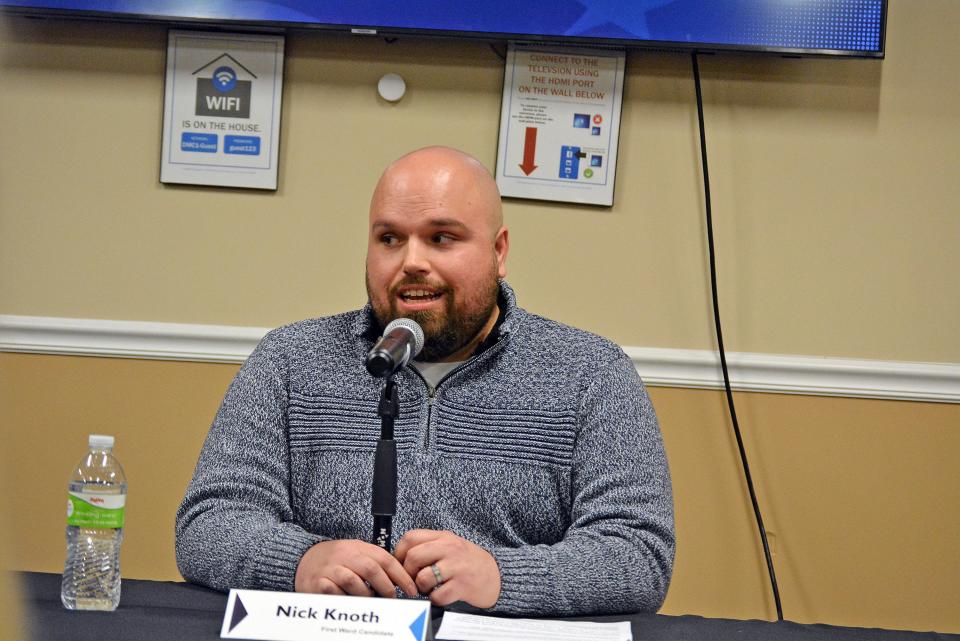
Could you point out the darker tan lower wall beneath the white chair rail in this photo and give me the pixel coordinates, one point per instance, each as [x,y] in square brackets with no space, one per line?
[860,496]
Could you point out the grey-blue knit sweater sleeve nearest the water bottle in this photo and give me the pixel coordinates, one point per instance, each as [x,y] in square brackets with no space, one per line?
[235,527]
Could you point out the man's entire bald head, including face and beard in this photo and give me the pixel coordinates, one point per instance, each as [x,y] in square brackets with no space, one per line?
[436,249]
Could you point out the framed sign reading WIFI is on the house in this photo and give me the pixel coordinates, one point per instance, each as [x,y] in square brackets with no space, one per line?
[221,114]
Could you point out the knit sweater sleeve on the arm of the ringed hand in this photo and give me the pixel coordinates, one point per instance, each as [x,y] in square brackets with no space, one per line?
[617,555]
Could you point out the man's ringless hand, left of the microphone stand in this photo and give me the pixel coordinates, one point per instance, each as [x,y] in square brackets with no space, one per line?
[351,567]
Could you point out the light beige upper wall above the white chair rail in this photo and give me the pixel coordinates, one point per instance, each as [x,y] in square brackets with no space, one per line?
[834,186]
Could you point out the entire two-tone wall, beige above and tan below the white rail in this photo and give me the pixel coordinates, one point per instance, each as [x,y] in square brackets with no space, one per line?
[835,198]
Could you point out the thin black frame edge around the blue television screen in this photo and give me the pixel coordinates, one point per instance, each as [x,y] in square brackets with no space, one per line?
[374,30]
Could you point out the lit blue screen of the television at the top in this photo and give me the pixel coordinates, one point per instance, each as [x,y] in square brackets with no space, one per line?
[808,27]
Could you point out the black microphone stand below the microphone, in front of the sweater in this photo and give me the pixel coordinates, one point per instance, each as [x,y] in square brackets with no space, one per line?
[384,502]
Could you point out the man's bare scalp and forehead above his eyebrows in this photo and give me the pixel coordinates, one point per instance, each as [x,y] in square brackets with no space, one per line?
[443,177]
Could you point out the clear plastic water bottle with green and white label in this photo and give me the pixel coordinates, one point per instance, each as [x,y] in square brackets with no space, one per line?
[95,504]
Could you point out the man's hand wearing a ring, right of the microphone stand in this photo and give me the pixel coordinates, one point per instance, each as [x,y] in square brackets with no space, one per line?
[467,572]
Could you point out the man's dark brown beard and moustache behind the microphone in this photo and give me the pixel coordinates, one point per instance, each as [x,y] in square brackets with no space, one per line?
[446,331]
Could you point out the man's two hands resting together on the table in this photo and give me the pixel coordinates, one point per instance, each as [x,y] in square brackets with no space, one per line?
[468,572]
